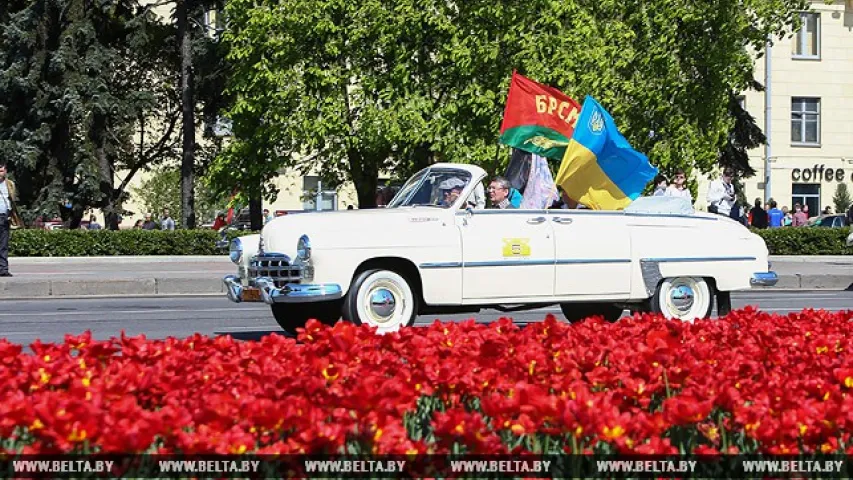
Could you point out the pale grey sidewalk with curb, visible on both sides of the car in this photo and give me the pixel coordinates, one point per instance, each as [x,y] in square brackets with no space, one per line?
[39,277]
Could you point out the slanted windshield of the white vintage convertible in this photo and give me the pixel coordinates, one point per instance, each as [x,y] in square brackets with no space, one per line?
[432,186]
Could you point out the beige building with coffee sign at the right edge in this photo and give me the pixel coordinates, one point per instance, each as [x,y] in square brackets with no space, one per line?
[811,112]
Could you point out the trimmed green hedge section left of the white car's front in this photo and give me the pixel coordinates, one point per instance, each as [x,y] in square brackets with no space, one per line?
[85,243]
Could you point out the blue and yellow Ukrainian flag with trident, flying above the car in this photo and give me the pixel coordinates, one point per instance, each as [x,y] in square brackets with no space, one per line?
[600,169]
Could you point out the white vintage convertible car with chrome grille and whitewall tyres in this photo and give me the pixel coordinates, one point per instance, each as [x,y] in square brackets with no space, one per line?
[430,251]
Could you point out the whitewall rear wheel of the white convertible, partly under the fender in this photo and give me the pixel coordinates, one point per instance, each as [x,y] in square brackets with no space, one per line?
[683,298]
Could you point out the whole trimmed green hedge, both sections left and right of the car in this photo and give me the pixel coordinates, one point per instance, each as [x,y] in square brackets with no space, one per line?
[82,243]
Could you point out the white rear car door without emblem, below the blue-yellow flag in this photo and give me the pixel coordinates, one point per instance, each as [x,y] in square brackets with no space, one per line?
[593,254]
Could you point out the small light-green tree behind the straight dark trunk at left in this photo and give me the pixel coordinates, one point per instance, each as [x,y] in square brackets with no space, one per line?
[162,189]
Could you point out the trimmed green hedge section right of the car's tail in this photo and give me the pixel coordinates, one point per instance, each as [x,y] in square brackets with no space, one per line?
[806,241]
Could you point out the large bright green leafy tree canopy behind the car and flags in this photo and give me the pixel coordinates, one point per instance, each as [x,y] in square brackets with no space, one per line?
[355,88]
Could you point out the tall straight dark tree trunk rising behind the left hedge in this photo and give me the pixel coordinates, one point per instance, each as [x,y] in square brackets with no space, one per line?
[188,120]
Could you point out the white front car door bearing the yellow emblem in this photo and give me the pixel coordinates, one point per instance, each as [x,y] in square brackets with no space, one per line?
[506,254]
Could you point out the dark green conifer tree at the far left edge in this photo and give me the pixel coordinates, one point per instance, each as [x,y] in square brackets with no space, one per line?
[78,80]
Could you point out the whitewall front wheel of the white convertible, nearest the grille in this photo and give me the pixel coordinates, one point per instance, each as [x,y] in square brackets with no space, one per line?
[382,299]
